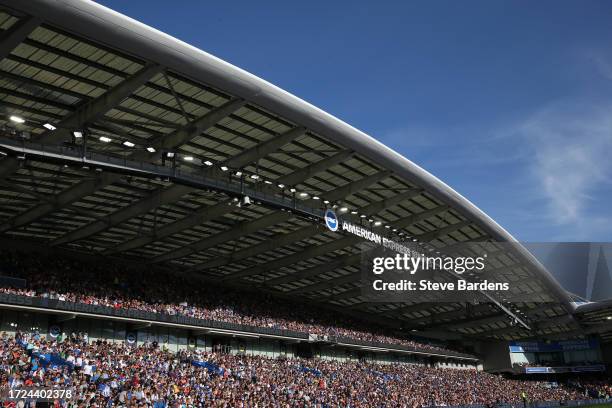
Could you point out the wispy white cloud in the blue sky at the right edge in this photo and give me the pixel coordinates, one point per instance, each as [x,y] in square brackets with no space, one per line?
[571,160]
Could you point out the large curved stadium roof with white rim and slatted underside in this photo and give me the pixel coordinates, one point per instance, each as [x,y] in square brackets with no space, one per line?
[136,94]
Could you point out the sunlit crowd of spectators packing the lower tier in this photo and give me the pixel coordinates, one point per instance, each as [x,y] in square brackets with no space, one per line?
[105,374]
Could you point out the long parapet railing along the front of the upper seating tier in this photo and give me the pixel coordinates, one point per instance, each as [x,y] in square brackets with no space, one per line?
[55,304]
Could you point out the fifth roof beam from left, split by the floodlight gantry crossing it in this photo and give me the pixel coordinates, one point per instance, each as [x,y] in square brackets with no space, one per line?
[205,214]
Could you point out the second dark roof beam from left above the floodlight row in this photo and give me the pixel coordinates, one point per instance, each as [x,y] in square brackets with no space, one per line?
[96,108]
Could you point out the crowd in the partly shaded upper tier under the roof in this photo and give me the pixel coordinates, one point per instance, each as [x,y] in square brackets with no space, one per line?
[162,292]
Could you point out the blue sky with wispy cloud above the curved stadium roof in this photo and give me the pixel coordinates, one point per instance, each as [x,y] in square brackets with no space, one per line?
[510,103]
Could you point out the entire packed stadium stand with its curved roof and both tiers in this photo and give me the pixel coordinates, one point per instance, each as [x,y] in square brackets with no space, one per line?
[164,243]
